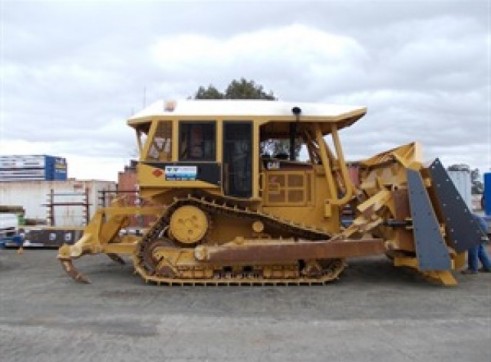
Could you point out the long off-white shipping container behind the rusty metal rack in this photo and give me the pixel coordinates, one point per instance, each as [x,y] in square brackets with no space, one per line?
[35,198]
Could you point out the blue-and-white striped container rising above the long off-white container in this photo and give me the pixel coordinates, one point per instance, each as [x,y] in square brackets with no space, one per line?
[33,167]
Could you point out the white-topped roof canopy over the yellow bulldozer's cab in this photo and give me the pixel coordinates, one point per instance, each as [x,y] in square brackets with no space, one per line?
[243,110]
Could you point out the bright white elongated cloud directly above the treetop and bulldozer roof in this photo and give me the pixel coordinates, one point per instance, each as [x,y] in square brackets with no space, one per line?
[296,54]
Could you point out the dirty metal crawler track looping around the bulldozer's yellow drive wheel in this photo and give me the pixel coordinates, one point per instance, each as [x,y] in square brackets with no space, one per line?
[160,260]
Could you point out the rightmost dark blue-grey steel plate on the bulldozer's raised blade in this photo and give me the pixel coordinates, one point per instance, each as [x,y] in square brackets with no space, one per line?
[461,227]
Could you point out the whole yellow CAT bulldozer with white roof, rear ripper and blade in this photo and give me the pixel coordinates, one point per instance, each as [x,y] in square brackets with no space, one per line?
[229,210]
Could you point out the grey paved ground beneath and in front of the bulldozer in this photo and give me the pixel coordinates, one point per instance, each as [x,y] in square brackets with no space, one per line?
[373,313]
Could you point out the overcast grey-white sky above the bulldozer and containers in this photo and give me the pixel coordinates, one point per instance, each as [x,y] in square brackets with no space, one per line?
[72,72]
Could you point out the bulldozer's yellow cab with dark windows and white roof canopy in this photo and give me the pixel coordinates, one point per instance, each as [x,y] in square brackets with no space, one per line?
[240,149]
